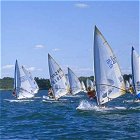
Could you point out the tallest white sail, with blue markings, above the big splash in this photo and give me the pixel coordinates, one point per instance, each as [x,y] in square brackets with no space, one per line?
[109,81]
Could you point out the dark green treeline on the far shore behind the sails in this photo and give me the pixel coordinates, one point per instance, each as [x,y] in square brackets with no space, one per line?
[7,83]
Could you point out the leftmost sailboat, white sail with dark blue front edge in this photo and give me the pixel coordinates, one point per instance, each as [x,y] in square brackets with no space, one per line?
[22,87]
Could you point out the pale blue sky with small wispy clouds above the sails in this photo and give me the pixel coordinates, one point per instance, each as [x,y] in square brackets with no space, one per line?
[64,29]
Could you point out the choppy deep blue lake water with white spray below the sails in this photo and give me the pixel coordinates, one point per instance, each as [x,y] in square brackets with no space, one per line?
[37,120]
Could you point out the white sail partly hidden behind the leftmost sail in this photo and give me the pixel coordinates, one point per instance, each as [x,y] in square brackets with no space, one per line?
[32,82]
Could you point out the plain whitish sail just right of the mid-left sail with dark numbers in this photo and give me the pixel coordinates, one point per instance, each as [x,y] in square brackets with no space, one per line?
[75,85]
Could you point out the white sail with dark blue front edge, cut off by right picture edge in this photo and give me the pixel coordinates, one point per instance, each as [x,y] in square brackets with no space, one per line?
[135,60]
